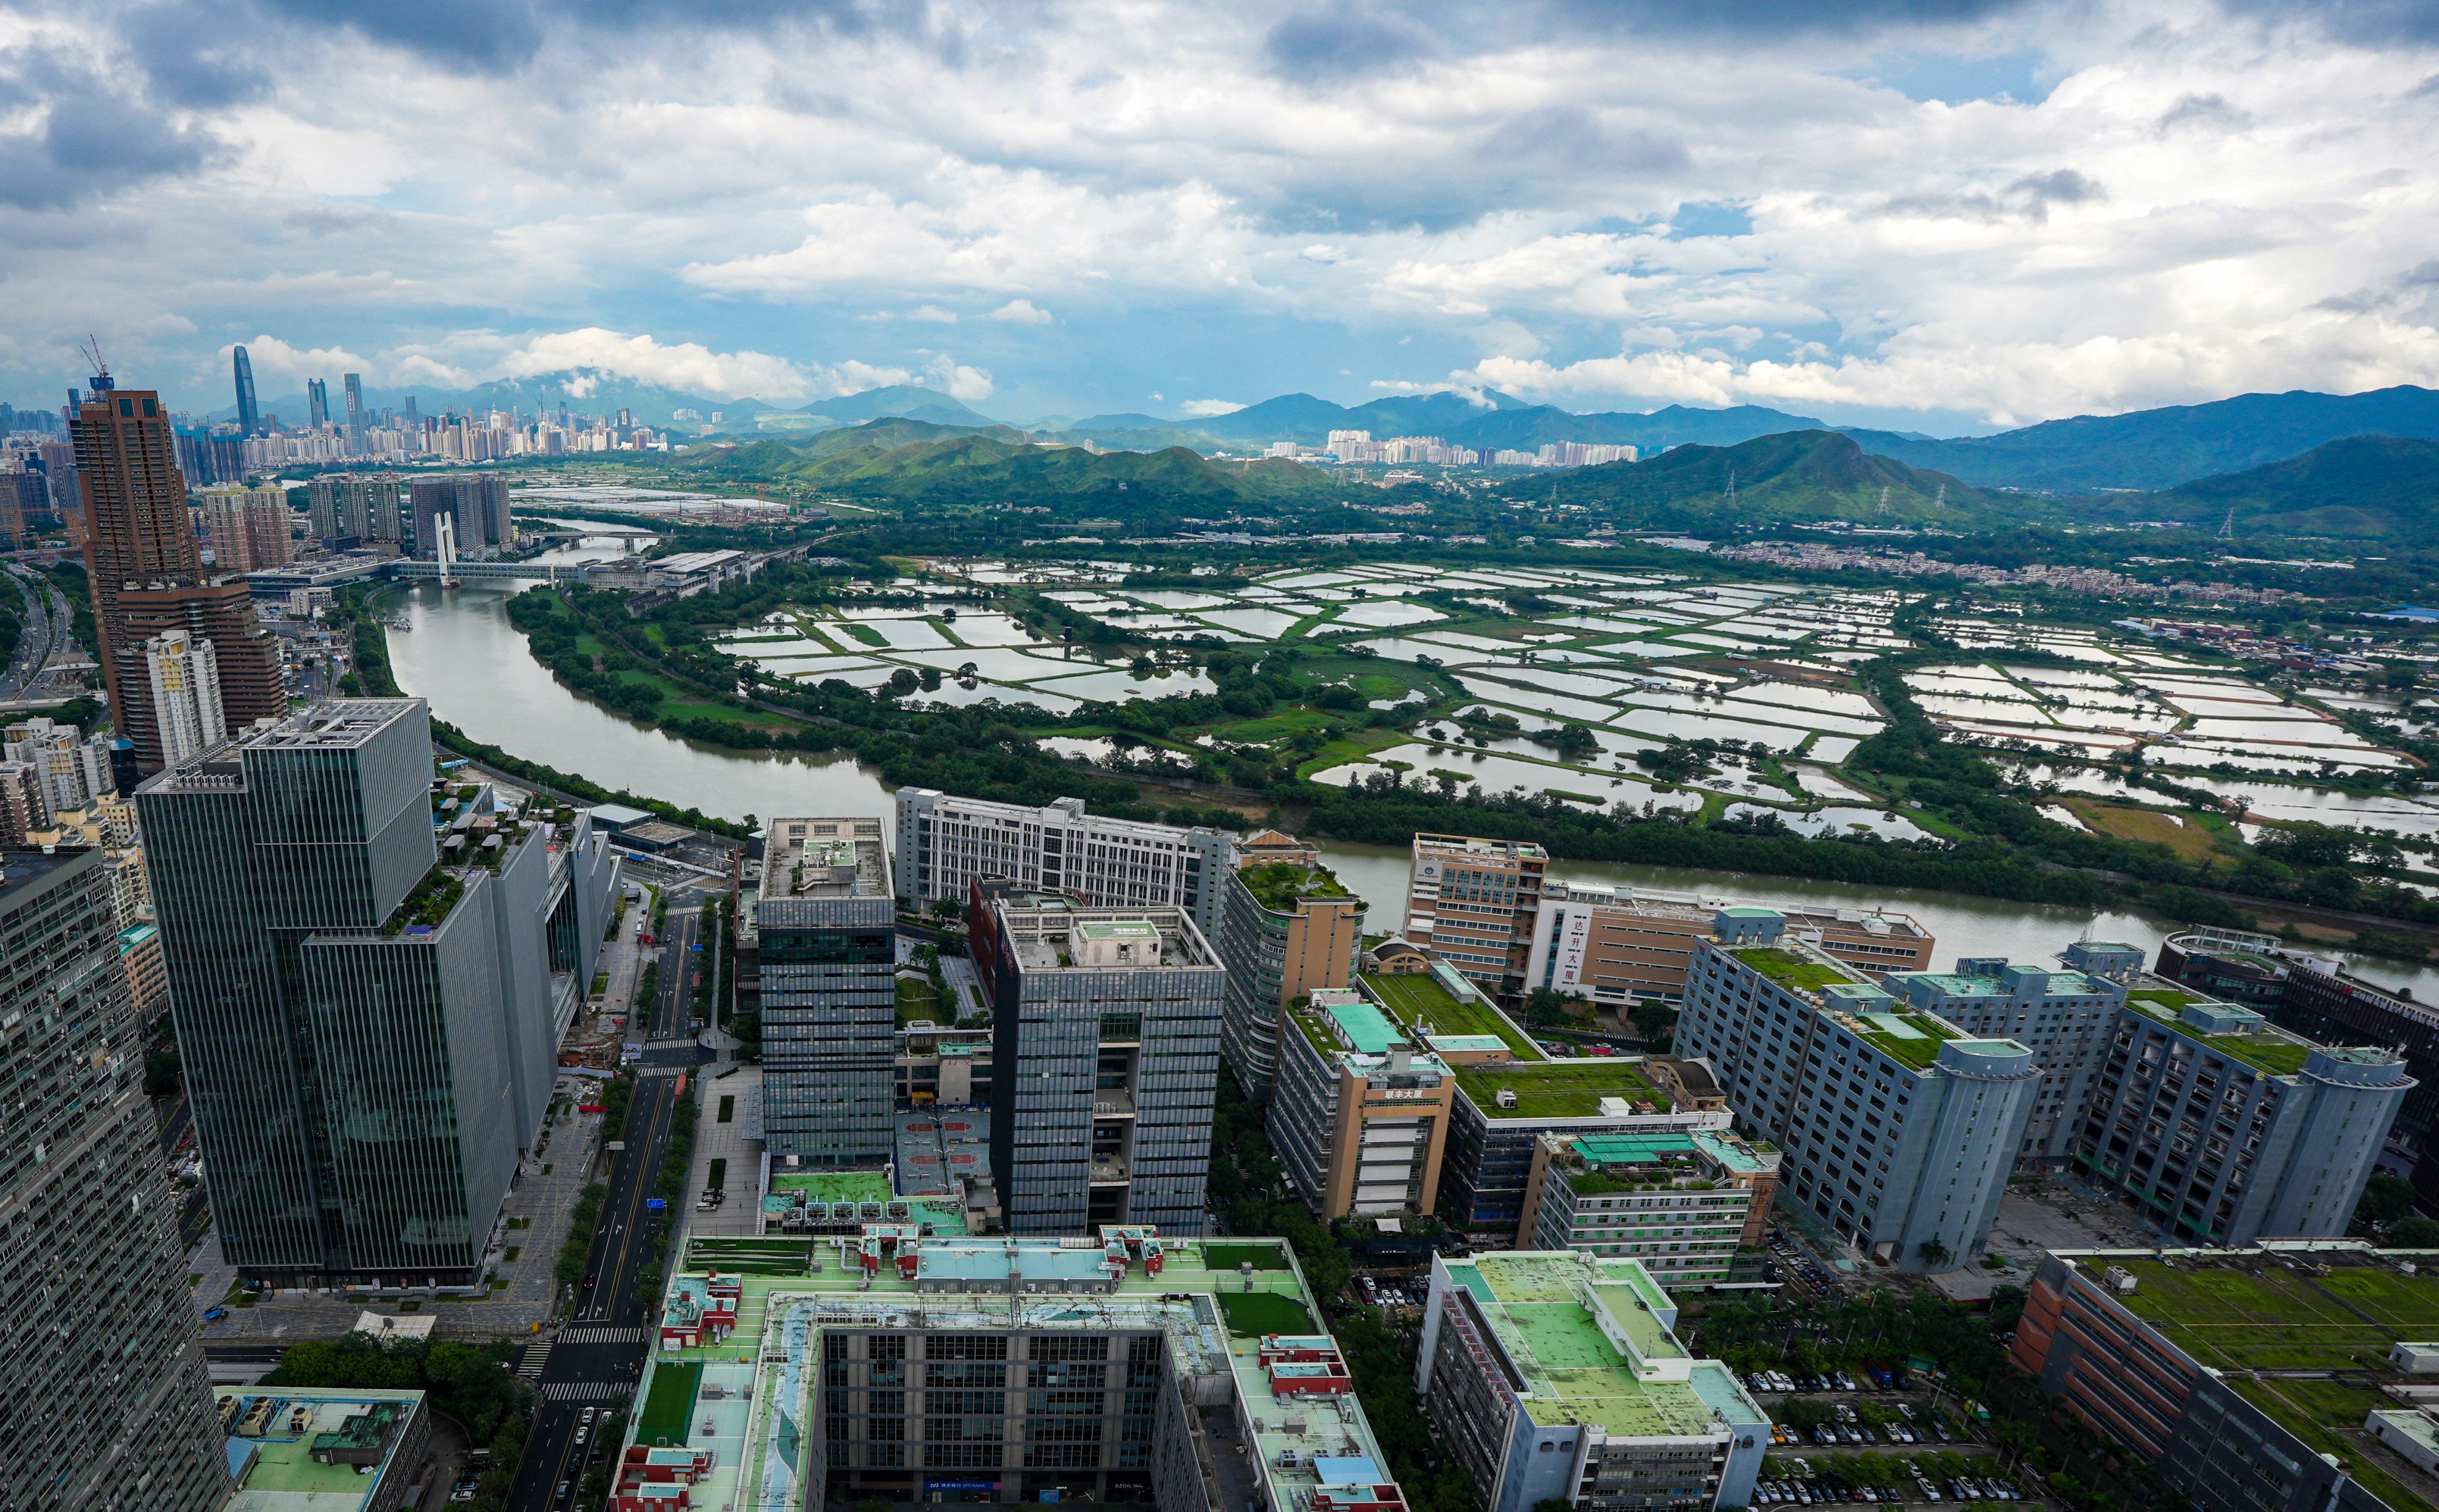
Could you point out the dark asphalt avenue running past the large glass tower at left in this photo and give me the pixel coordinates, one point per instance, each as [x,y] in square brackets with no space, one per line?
[599,1352]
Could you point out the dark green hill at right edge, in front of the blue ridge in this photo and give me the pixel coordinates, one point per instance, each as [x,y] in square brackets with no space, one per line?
[2362,487]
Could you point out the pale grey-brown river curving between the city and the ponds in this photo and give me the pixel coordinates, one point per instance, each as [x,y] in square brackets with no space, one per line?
[462,655]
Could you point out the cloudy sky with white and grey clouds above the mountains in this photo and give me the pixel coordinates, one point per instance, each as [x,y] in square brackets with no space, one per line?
[1926,213]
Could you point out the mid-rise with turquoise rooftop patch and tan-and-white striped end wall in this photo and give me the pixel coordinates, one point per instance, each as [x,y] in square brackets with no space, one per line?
[1360,1118]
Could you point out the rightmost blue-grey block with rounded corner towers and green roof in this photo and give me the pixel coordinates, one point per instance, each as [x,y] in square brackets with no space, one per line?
[2218,1128]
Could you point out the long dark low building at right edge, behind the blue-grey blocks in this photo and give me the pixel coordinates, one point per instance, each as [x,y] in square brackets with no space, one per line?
[2316,996]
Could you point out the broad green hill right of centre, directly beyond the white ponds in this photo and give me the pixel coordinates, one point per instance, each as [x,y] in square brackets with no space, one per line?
[1791,477]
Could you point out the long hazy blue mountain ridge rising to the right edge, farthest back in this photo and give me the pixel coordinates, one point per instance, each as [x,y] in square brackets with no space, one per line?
[2167,448]
